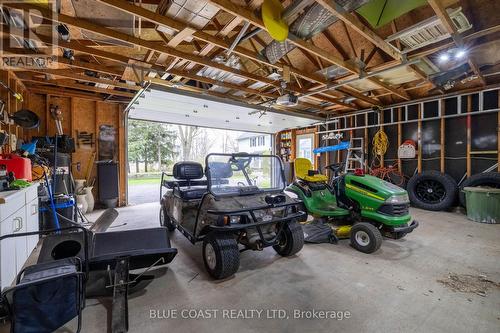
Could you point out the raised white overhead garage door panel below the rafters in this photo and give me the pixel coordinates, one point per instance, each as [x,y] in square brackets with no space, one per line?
[174,106]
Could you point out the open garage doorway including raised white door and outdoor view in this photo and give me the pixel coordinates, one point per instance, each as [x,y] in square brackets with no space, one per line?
[222,125]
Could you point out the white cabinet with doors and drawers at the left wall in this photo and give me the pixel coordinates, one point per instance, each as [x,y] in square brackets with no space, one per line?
[18,214]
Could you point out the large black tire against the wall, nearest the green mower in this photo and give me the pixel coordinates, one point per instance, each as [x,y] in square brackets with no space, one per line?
[432,190]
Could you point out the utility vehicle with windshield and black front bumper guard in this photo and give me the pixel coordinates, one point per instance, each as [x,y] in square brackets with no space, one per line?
[239,206]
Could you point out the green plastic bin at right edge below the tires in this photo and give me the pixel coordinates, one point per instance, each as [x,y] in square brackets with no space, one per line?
[483,204]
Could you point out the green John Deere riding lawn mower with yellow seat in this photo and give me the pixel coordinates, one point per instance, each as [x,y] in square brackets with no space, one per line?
[357,206]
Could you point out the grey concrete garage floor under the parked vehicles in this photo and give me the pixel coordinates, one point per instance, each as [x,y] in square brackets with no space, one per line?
[393,290]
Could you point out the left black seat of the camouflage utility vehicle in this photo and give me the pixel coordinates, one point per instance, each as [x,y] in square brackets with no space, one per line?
[189,173]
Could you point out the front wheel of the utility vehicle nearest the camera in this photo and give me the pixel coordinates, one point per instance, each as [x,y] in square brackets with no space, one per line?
[220,255]
